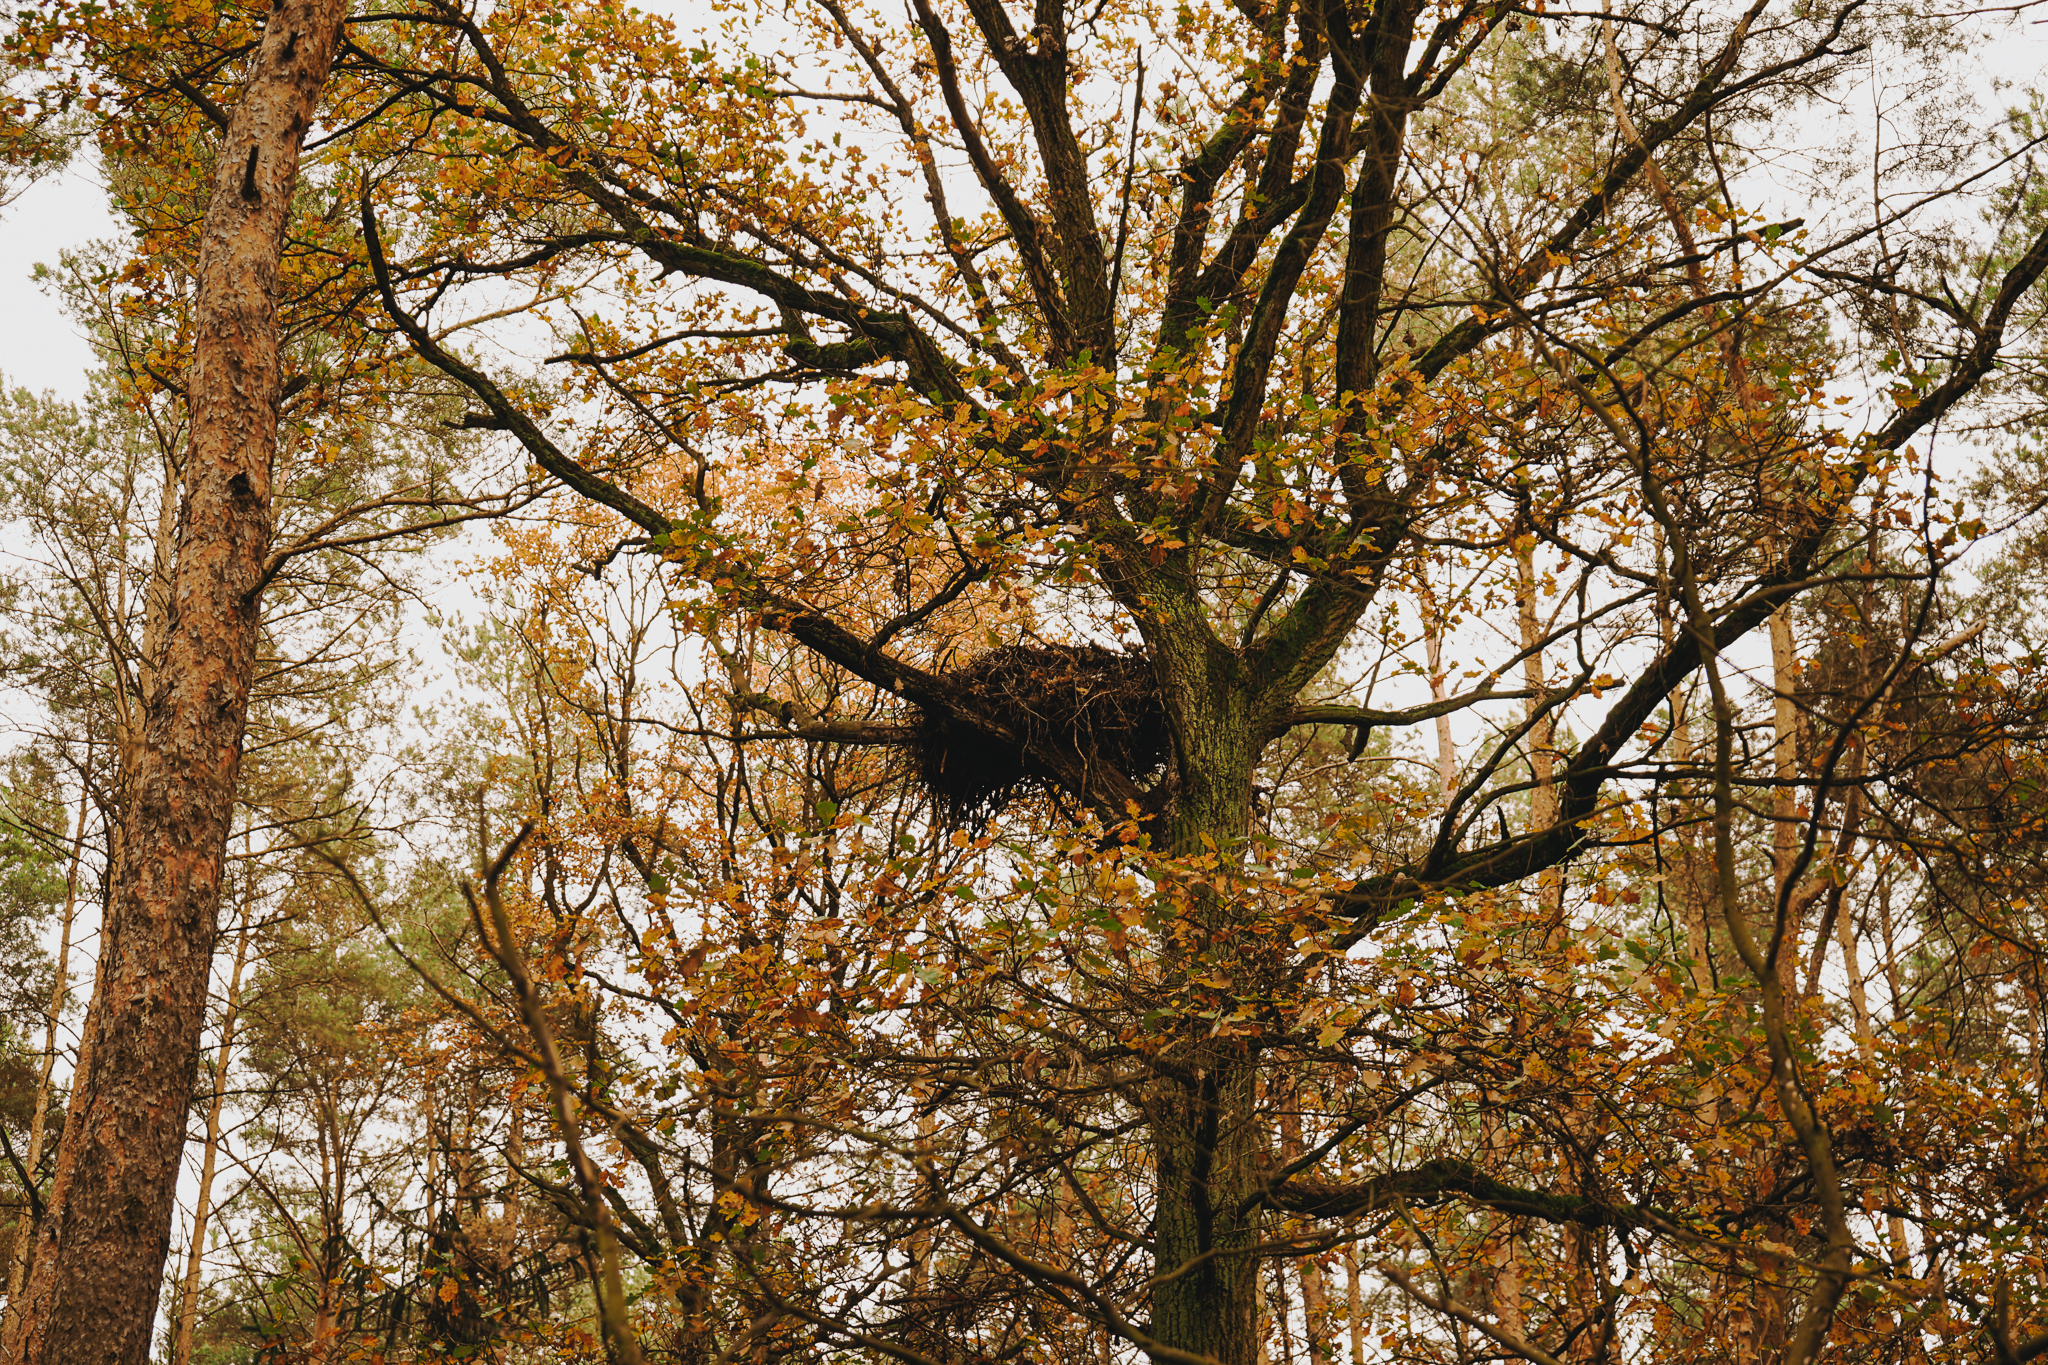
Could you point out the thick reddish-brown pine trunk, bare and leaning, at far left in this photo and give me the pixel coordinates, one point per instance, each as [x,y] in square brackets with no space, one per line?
[101,1249]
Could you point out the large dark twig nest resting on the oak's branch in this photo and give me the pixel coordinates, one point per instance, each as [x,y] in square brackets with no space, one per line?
[1099,703]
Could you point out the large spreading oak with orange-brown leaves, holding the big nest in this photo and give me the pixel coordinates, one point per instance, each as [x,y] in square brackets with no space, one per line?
[1226,371]
